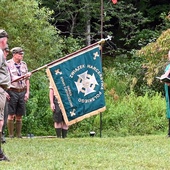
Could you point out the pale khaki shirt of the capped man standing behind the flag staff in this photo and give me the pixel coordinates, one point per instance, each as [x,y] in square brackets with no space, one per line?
[14,74]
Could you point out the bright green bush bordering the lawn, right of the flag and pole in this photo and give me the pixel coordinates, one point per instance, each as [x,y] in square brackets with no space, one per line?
[135,115]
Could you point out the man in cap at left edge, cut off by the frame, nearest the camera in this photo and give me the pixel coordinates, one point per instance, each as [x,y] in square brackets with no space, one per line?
[4,84]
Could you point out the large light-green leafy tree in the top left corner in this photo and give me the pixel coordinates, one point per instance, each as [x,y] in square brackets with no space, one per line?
[30,29]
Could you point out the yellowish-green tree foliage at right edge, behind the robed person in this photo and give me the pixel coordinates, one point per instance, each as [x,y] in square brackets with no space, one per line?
[155,54]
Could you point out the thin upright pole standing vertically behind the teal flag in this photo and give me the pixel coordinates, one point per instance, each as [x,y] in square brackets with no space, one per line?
[101,36]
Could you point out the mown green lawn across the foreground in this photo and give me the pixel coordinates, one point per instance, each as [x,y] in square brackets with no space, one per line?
[124,153]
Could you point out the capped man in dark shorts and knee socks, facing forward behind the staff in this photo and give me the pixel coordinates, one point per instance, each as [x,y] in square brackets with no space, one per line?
[19,92]
